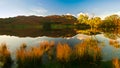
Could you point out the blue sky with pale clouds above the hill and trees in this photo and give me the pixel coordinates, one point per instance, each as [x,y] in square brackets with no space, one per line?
[102,8]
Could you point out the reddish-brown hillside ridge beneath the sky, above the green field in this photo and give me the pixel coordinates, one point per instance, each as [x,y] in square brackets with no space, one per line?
[63,19]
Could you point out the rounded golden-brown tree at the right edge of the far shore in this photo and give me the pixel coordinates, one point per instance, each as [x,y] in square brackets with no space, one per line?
[111,24]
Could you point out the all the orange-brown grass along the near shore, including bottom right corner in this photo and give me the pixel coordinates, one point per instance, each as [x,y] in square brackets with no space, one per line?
[86,53]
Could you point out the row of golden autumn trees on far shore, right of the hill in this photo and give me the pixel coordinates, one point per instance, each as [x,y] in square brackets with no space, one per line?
[108,24]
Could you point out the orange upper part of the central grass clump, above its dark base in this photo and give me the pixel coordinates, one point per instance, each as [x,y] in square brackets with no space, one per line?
[63,52]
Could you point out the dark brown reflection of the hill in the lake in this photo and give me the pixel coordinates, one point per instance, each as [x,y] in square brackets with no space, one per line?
[35,32]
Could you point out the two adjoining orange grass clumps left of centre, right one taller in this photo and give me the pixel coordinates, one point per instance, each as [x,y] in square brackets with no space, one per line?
[33,57]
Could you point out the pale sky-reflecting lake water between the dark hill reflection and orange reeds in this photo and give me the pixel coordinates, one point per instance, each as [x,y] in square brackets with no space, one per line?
[108,51]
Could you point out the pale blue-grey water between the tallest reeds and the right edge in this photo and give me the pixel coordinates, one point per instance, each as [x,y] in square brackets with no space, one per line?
[108,51]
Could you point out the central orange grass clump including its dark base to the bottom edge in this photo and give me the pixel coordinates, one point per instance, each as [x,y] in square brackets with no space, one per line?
[63,55]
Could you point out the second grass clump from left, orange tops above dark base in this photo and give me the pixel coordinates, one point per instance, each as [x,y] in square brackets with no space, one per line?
[29,58]
